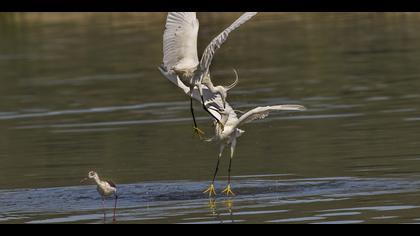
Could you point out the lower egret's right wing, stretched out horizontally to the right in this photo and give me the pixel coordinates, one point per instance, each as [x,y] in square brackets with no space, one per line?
[263,112]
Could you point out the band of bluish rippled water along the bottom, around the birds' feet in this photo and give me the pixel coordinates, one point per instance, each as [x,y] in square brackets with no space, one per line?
[267,197]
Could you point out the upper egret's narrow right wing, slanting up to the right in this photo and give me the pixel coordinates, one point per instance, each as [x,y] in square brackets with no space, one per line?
[215,44]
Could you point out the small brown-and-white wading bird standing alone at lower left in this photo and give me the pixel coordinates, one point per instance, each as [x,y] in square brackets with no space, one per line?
[105,189]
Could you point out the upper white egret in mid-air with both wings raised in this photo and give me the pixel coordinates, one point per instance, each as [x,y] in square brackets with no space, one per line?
[180,54]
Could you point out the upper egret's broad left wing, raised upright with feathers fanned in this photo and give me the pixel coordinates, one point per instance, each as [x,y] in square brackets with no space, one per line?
[180,41]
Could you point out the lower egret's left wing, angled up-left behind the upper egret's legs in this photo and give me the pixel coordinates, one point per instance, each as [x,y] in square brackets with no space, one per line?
[213,101]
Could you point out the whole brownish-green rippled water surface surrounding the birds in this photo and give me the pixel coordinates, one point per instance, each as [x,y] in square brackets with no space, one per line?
[81,91]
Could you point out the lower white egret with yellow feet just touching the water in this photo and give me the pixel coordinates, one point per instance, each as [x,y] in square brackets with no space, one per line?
[227,129]
